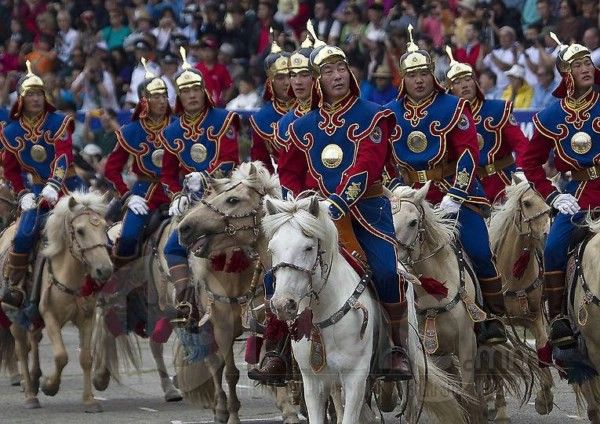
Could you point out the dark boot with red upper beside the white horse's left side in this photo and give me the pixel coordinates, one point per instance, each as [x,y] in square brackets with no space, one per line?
[273,368]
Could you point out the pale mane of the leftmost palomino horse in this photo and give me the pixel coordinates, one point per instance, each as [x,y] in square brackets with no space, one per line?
[55,229]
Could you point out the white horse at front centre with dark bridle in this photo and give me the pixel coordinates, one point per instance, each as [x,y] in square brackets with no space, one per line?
[311,274]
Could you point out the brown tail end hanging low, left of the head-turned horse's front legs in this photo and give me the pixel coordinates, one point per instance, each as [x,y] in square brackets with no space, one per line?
[194,380]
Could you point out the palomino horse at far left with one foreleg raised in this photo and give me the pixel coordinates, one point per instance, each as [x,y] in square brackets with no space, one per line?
[75,251]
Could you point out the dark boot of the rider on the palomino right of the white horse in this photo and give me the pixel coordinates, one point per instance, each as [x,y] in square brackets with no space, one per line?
[492,330]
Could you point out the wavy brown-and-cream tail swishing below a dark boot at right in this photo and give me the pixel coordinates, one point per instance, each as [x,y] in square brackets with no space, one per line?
[510,367]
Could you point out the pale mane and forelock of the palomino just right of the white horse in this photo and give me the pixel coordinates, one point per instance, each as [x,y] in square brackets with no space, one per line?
[438,230]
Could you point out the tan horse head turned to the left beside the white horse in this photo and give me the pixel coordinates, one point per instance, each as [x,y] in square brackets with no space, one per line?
[230,212]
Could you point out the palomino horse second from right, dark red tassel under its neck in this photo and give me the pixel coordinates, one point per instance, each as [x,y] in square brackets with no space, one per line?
[517,234]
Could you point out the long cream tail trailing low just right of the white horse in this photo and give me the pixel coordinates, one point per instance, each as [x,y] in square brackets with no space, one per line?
[437,391]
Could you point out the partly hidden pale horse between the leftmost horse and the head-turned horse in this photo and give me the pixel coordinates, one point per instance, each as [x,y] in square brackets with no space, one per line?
[148,270]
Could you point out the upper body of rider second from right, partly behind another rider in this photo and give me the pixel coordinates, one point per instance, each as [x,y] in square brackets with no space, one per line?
[498,133]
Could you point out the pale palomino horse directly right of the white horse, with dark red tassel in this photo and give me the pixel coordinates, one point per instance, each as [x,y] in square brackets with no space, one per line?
[429,246]
